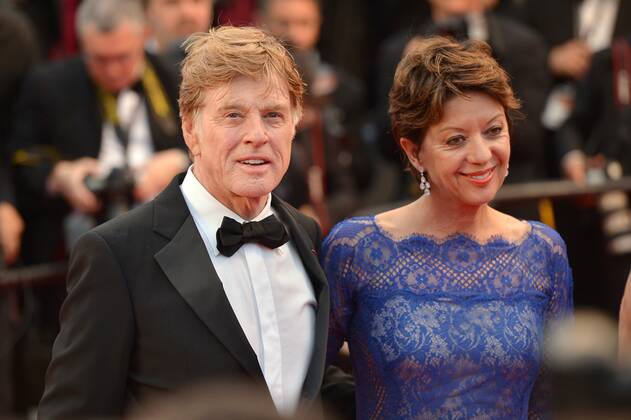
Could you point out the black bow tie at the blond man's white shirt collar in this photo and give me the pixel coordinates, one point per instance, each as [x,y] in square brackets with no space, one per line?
[269,232]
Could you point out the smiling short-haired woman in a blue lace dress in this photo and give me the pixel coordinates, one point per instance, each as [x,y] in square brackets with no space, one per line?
[444,302]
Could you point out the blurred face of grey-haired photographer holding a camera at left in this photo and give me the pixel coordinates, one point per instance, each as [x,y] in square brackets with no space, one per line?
[114,59]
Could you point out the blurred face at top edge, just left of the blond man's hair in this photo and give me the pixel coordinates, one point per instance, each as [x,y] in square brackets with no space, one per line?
[173,20]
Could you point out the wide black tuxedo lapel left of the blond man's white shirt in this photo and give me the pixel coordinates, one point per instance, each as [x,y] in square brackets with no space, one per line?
[186,263]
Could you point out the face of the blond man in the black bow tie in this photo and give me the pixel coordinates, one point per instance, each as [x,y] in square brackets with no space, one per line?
[241,138]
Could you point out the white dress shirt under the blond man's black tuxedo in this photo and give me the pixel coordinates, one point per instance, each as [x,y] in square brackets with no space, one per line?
[270,294]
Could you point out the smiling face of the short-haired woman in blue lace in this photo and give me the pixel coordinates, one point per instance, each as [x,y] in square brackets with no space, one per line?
[465,154]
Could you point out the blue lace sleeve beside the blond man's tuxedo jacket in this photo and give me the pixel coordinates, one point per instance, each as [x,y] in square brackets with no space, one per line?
[336,259]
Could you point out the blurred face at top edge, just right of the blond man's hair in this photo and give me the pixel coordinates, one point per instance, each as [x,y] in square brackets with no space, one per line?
[296,21]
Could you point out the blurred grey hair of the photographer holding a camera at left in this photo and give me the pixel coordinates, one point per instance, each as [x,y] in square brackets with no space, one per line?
[107,15]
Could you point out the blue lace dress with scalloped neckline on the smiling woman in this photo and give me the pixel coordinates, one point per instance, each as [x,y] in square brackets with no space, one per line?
[444,329]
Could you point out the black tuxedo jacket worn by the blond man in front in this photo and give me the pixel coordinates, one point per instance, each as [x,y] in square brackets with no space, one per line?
[146,312]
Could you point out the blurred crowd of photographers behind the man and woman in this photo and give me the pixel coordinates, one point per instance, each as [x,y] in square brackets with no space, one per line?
[89,127]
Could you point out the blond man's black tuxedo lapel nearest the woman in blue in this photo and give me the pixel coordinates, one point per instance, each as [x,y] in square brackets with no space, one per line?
[307,250]
